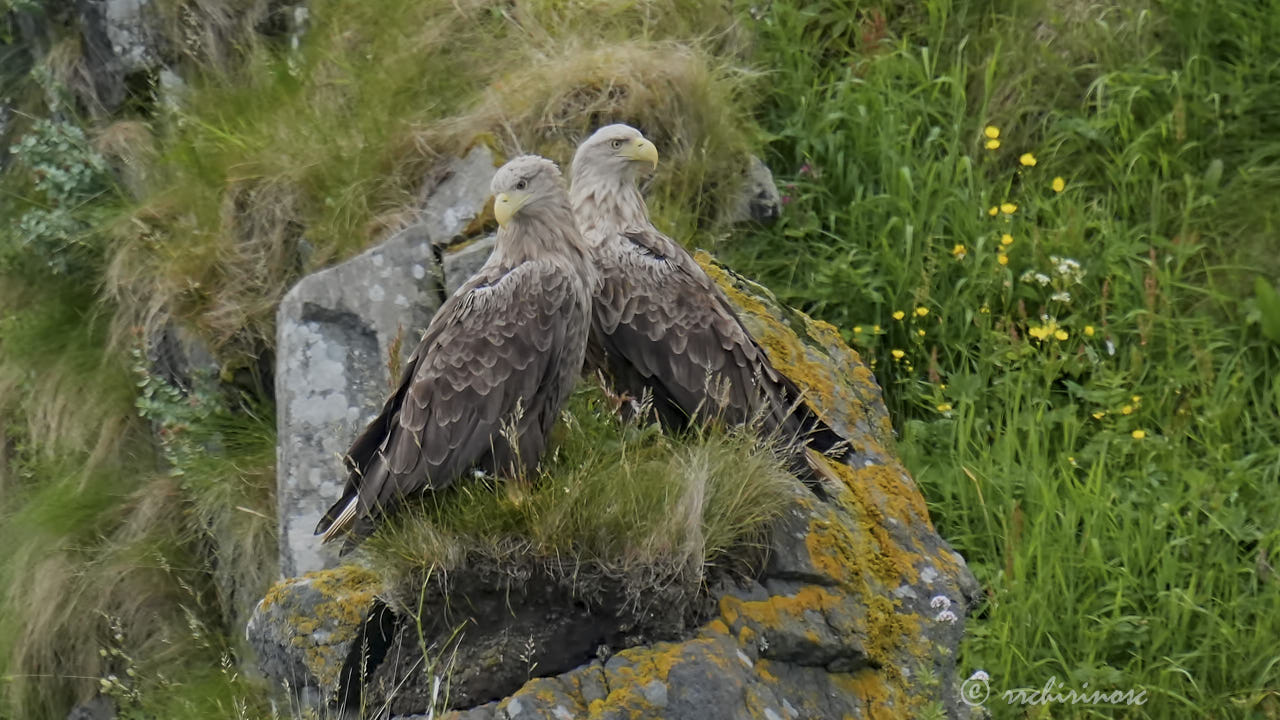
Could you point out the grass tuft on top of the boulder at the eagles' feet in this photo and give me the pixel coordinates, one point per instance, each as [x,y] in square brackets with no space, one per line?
[612,499]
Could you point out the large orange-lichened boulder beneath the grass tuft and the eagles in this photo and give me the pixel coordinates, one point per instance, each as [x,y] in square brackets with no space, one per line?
[858,612]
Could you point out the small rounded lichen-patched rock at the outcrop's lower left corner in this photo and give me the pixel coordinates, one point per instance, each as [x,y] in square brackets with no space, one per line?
[305,628]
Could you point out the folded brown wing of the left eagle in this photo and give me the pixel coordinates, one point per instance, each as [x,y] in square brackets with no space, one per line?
[491,361]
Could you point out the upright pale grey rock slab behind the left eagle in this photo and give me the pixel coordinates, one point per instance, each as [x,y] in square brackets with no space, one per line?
[335,335]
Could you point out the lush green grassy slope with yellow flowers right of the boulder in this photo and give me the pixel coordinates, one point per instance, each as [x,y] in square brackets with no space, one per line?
[1118,507]
